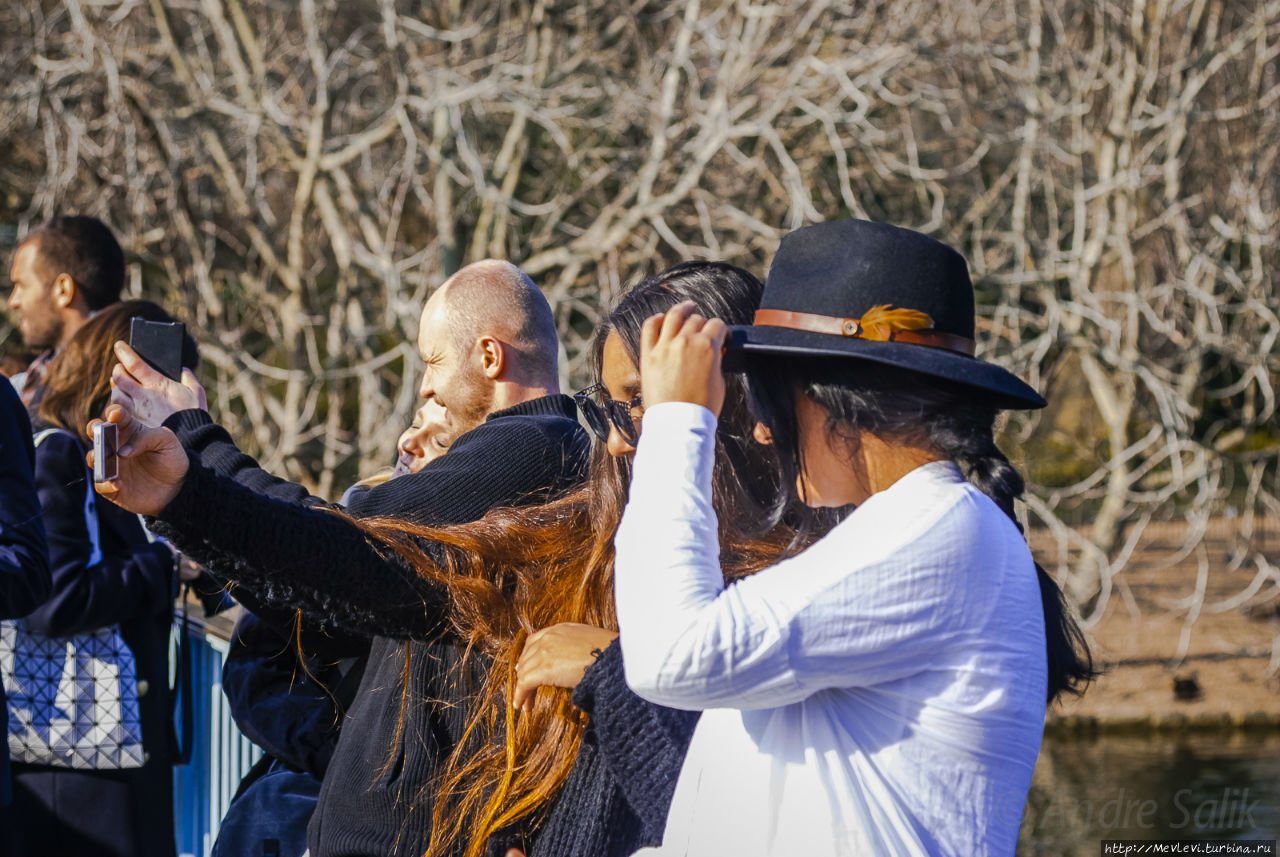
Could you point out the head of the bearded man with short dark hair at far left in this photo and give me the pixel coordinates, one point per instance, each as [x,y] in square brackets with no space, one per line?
[63,272]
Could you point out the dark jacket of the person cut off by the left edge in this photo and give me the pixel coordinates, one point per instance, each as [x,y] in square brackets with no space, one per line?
[24,556]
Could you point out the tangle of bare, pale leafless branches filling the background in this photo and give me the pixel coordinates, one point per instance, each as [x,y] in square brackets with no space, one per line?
[298,177]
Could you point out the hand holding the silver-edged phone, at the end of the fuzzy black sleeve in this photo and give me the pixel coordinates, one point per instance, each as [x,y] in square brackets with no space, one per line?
[153,465]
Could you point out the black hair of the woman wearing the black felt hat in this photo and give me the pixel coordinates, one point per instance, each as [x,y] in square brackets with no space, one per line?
[956,424]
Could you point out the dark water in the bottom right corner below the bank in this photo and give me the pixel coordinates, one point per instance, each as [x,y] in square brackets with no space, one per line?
[1171,787]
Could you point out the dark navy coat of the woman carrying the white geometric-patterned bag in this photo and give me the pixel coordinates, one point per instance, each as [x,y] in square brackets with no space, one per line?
[134,585]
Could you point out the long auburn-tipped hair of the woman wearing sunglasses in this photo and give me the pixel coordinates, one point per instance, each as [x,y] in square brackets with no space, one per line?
[518,571]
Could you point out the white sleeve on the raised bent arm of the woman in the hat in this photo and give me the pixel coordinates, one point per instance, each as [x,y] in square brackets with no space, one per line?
[854,609]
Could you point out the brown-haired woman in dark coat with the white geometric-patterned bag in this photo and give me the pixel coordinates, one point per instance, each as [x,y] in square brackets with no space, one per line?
[106,572]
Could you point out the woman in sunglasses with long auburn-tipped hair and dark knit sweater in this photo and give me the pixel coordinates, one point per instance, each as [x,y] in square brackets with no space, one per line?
[547,778]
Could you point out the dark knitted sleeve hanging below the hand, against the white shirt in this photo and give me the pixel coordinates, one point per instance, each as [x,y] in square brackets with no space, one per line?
[643,744]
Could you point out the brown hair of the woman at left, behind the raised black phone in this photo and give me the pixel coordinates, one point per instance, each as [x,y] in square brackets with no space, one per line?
[80,378]
